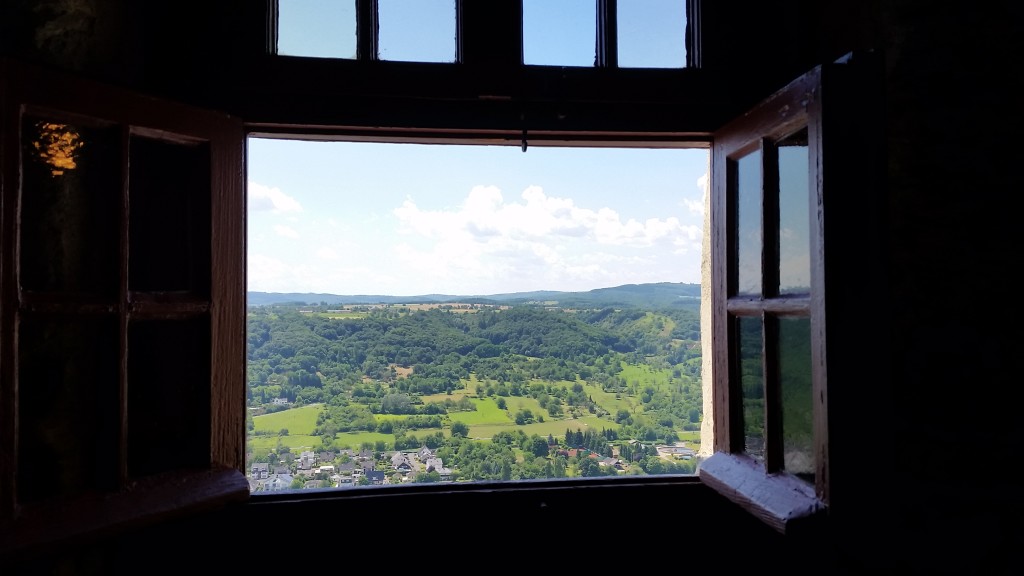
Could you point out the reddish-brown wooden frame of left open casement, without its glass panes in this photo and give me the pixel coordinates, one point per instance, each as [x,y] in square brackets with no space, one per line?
[143,498]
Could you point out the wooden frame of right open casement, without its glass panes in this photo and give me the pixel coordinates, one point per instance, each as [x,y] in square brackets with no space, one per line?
[838,104]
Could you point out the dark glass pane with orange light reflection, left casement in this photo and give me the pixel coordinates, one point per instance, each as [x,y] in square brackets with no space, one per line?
[71,193]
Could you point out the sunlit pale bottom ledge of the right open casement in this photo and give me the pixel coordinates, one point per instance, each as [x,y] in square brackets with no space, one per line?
[781,501]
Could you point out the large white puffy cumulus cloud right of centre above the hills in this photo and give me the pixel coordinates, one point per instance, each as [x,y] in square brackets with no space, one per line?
[538,239]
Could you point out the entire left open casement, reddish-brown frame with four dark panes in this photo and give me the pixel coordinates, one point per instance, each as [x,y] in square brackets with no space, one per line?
[122,325]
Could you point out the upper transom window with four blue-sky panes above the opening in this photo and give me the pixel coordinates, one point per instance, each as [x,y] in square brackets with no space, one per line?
[577,33]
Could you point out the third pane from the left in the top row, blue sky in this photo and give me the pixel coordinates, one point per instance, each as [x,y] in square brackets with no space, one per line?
[563,33]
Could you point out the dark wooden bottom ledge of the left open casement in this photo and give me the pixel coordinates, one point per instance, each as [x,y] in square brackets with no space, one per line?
[147,502]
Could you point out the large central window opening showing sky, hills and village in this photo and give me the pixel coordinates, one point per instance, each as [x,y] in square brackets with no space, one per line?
[461,241]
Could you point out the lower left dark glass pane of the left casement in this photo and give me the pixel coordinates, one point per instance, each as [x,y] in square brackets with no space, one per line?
[68,406]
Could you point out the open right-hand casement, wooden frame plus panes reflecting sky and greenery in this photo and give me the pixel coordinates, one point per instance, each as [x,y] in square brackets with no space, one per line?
[773,378]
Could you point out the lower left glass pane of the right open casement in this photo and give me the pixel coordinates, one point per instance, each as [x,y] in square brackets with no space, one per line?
[752,386]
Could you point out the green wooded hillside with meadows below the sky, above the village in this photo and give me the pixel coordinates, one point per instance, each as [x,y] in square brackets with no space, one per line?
[630,374]
